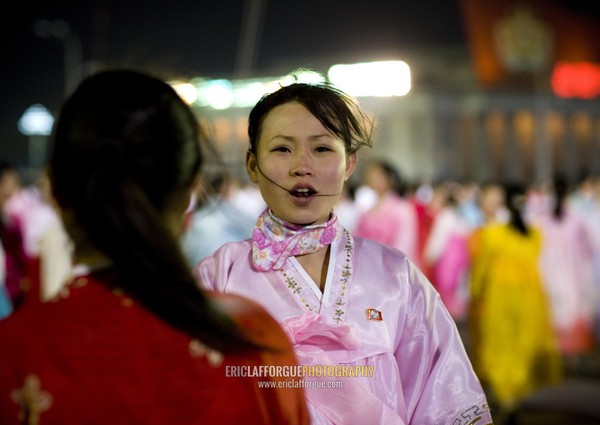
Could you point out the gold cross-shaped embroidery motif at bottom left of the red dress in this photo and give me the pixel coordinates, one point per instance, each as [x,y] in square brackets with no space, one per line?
[32,400]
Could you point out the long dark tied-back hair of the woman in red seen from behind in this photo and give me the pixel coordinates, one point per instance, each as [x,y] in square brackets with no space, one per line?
[126,151]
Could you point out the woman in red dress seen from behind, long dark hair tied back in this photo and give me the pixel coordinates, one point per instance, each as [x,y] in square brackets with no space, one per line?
[130,339]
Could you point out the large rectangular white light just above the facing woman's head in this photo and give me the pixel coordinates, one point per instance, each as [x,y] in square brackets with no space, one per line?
[380,79]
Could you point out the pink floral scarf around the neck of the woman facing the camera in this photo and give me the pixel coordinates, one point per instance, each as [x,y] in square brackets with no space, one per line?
[274,240]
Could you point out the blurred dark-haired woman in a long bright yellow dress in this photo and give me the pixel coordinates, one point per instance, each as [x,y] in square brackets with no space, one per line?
[516,351]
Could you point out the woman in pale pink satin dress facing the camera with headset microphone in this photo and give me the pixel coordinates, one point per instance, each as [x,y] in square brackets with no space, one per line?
[378,344]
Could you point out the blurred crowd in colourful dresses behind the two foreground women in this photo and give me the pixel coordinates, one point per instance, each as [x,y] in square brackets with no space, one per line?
[517,266]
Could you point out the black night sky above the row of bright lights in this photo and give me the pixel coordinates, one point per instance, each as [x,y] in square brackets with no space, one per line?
[201,38]
